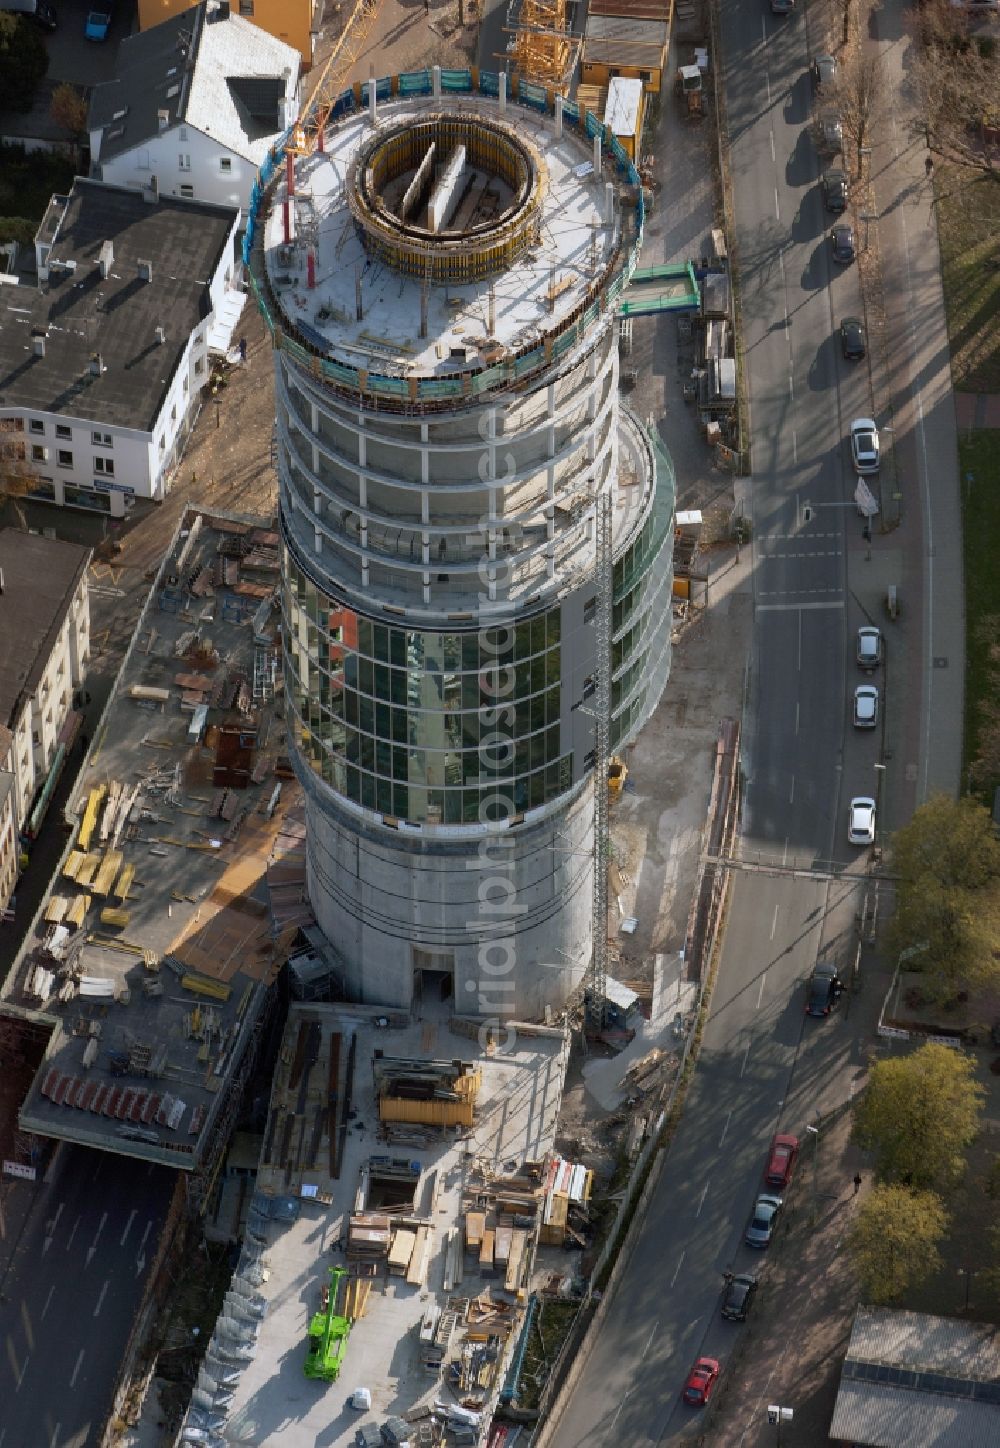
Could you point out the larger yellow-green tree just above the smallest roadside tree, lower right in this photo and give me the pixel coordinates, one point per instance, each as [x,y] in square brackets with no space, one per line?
[918,1114]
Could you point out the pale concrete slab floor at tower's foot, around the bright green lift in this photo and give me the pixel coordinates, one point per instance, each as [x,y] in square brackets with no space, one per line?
[516,1121]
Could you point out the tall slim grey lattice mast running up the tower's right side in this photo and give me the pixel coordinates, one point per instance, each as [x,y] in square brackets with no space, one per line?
[601,752]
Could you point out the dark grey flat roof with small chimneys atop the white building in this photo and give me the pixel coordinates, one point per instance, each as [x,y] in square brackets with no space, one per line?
[82,313]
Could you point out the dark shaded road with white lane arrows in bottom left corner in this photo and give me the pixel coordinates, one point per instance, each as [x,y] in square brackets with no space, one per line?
[76,1256]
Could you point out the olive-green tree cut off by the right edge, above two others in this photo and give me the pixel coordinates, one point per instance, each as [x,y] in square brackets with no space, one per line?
[949,896]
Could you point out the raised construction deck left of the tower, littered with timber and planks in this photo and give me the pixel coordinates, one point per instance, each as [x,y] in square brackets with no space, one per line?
[153,959]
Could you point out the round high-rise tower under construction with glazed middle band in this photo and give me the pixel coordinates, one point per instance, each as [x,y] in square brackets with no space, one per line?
[441,280]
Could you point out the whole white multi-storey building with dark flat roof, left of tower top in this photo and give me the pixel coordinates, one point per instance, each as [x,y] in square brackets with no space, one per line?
[102,364]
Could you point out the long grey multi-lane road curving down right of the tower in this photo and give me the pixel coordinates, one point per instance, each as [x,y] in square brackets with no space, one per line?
[762,1068]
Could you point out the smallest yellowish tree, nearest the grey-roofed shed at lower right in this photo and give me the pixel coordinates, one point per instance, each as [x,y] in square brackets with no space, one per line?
[894,1242]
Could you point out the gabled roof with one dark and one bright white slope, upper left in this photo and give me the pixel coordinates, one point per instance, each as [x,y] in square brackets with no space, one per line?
[224,77]
